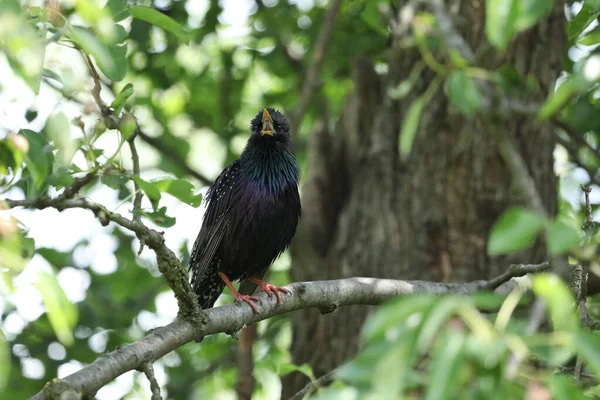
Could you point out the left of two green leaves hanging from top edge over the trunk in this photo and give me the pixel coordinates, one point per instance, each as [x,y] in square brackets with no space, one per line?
[501,21]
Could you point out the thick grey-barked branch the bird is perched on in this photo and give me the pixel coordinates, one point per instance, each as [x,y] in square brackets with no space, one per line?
[324,295]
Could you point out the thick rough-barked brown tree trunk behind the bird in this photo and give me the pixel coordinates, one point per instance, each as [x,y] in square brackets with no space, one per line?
[367,213]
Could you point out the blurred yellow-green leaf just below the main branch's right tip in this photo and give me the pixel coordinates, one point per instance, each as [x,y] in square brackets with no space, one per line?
[559,299]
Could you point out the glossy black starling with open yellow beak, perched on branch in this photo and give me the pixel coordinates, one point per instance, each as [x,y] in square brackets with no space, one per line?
[252,214]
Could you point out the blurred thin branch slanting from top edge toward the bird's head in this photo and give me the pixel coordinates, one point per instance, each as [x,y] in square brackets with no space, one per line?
[311,80]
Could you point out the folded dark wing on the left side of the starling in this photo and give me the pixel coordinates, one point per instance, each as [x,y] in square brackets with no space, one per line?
[219,198]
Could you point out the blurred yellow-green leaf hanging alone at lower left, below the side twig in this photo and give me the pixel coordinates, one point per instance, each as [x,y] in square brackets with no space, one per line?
[61,312]
